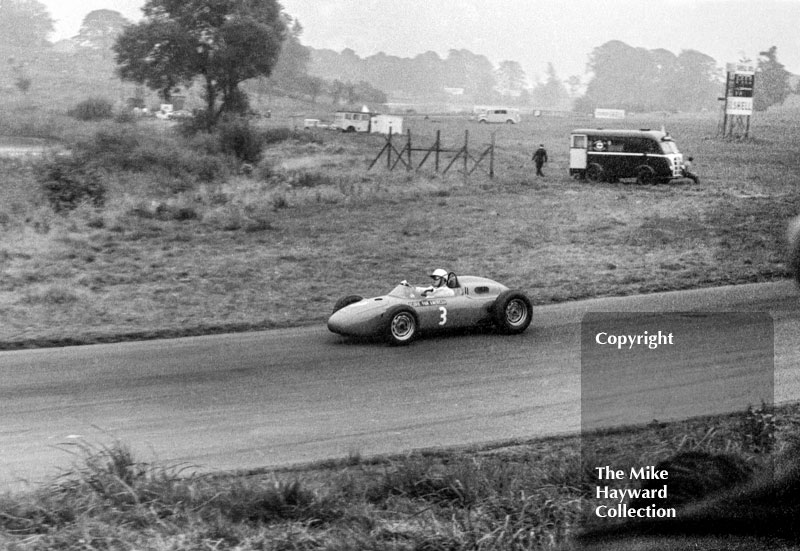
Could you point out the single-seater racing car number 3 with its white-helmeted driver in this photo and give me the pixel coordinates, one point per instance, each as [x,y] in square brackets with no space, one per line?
[406,311]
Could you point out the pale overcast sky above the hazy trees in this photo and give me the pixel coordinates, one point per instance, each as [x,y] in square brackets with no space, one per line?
[532,32]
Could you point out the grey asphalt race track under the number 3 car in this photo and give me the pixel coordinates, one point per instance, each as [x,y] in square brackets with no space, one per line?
[297,395]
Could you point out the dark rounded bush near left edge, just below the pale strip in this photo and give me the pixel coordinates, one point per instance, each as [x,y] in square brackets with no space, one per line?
[69,182]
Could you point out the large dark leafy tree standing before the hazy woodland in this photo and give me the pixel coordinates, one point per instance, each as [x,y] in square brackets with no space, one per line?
[222,42]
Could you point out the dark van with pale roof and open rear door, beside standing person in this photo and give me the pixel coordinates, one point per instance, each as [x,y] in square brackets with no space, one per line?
[599,154]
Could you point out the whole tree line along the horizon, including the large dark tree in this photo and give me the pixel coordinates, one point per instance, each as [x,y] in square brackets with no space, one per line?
[222,45]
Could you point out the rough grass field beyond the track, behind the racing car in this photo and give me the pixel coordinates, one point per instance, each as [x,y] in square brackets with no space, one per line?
[187,241]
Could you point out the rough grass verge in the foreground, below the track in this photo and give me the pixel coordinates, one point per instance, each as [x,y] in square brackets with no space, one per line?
[524,495]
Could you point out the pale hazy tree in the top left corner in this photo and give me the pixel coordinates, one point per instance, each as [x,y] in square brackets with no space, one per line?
[24,23]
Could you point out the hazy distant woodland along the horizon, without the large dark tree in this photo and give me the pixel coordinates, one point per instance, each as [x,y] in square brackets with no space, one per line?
[618,75]
